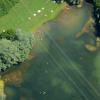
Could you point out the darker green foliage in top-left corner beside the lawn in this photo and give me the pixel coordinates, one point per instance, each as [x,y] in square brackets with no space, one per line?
[6,5]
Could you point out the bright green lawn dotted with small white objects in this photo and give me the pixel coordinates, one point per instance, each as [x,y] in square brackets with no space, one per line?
[18,16]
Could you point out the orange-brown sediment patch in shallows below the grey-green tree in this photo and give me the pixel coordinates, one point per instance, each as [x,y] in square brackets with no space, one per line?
[15,77]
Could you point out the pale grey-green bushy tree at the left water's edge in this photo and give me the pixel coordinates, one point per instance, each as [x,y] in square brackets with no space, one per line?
[14,52]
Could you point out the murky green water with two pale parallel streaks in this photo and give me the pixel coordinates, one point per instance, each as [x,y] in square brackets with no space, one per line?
[62,68]
